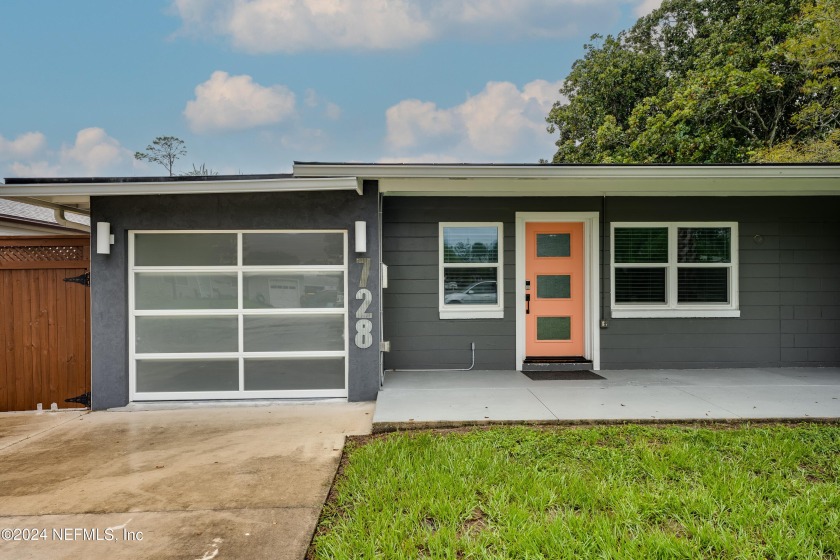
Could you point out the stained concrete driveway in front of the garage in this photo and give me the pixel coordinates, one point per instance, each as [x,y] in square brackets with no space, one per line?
[195,483]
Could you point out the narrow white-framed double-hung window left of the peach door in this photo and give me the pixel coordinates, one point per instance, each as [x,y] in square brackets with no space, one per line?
[470,263]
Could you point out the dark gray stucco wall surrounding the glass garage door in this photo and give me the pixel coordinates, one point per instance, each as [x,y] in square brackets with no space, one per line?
[109,273]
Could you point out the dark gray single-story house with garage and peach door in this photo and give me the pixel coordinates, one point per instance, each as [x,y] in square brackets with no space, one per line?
[311,284]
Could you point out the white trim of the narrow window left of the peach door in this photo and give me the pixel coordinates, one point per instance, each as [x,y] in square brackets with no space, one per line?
[482,311]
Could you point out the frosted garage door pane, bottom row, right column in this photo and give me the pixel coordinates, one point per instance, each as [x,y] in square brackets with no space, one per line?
[294,374]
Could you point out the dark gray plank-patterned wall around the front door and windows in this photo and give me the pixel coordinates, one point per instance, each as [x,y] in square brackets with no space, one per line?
[789,287]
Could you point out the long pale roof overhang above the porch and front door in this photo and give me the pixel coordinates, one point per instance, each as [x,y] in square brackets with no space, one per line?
[588,180]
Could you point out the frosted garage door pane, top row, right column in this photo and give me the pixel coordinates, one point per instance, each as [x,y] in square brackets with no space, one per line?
[292,249]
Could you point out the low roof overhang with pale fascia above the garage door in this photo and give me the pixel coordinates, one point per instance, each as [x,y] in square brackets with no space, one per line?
[77,194]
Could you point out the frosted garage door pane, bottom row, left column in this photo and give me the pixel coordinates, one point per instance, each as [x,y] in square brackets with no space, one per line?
[164,376]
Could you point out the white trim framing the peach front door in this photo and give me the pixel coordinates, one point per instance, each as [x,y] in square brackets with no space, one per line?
[592,265]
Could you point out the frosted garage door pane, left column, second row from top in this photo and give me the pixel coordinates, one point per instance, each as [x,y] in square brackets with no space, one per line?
[185,290]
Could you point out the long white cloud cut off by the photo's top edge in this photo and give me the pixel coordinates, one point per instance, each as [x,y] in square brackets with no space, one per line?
[264,26]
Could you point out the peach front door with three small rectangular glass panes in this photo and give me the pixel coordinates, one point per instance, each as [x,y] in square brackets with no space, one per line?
[554,289]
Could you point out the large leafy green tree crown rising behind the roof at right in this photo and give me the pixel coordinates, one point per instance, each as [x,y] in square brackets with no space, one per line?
[707,81]
